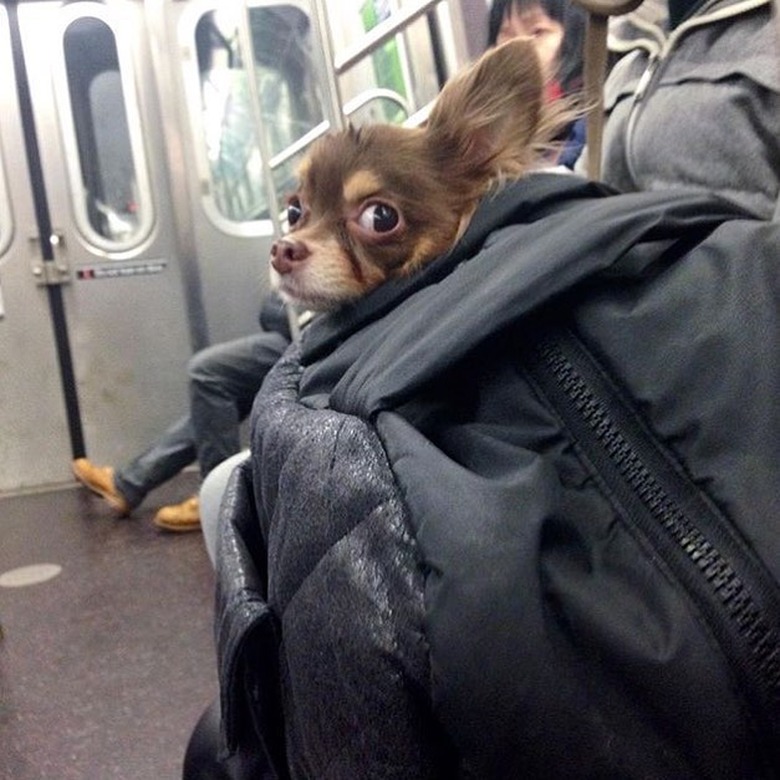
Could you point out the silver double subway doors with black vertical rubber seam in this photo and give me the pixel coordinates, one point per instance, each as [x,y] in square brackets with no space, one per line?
[94,329]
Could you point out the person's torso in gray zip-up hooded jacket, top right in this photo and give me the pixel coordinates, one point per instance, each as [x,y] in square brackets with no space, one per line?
[694,100]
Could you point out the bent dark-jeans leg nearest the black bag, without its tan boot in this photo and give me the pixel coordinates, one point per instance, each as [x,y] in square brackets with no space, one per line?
[224,380]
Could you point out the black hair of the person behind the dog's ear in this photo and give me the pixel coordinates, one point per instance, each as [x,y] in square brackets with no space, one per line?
[569,15]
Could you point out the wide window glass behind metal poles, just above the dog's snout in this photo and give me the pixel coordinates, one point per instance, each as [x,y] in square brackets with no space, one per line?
[288,99]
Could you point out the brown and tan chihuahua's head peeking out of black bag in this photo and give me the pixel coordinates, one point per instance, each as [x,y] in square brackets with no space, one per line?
[380,201]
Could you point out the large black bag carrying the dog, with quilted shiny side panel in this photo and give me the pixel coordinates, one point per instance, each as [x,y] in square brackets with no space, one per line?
[459,580]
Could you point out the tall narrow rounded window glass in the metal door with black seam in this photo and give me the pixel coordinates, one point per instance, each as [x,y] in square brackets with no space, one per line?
[99,115]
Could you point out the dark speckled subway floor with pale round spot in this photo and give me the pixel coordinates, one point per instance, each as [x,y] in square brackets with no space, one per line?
[105,667]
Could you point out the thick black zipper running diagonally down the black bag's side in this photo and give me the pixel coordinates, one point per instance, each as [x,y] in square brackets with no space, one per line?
[730,586]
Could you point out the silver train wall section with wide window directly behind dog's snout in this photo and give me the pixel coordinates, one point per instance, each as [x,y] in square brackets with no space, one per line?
[232,141]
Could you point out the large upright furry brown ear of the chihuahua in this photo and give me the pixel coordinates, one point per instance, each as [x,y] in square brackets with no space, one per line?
[492,115]
